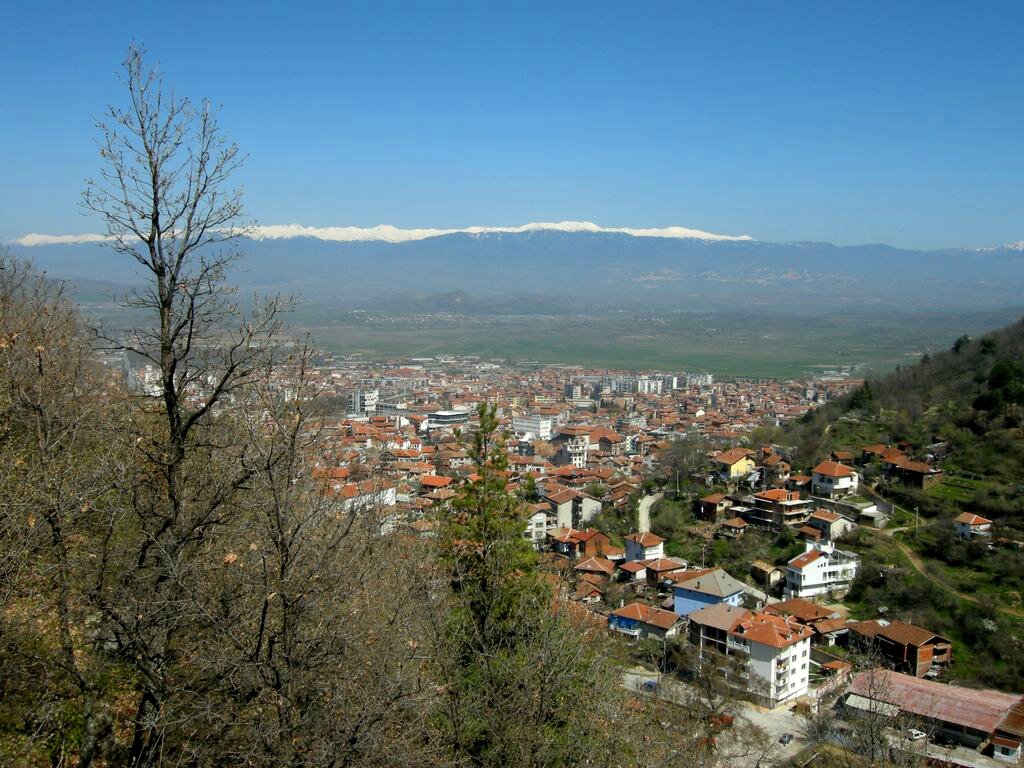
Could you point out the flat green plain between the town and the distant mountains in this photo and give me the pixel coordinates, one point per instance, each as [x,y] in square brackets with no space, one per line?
[763,346]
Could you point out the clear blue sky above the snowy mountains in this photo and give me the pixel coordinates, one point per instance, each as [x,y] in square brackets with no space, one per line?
[865,122]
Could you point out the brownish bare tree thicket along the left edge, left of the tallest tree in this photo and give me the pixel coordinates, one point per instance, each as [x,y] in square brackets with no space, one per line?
[52,482]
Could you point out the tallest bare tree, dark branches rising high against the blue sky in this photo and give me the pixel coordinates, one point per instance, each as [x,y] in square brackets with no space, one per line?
[162,194]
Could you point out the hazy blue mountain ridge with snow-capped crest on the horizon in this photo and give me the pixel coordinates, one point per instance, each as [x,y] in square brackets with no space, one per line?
[581,267]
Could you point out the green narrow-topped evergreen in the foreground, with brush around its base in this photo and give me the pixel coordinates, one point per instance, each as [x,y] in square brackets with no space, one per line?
[523,685]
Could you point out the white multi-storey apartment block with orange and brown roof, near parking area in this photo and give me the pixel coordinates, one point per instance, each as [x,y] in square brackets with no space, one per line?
[777,650]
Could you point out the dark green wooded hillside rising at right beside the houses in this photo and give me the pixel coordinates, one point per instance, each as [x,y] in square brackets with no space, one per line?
[962,411]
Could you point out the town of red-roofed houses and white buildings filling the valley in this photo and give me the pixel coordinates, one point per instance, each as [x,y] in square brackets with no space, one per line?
[595,455]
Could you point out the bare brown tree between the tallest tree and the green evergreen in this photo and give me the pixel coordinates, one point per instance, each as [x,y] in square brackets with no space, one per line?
[320,659]
